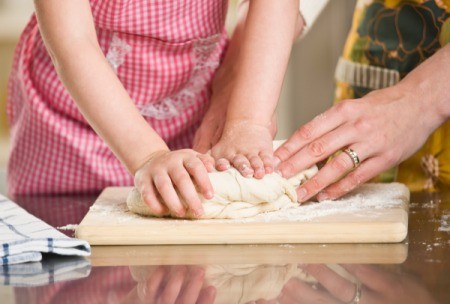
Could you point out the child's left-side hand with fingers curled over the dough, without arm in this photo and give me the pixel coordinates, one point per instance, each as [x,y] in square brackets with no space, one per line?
[168,174]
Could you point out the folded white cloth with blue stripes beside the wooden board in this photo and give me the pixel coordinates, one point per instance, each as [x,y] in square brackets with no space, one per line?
[24,237]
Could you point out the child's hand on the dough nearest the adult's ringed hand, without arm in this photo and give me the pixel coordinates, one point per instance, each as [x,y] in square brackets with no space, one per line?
[247,146]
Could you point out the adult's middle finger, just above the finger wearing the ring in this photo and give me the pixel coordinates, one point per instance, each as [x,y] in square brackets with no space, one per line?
[318,150]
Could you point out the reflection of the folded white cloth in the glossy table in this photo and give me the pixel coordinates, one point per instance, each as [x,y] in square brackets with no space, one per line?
[51,269]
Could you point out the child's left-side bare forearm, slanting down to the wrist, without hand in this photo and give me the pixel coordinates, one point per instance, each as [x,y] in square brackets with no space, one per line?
[92,83]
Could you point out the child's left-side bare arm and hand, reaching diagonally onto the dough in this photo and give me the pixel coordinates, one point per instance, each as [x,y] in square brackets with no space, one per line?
[68,30]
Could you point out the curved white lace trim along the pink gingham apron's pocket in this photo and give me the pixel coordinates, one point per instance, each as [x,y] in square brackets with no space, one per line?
[204,63]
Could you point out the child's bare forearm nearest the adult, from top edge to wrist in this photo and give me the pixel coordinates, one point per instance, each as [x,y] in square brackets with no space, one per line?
[264,48]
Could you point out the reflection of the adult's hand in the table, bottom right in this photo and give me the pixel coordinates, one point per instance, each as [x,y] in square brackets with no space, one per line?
[375,285]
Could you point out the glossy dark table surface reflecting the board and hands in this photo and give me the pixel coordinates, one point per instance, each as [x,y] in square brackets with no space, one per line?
[415,271]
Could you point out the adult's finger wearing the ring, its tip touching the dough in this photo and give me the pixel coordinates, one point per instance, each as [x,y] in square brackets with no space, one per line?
[334,170]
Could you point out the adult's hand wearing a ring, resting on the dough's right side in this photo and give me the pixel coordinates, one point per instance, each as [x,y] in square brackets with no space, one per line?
[383,128]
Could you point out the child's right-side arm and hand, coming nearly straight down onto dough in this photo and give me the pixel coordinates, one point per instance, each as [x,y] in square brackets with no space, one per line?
[246,142]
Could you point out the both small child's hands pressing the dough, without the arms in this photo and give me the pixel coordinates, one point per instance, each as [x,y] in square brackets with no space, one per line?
[245,146]
